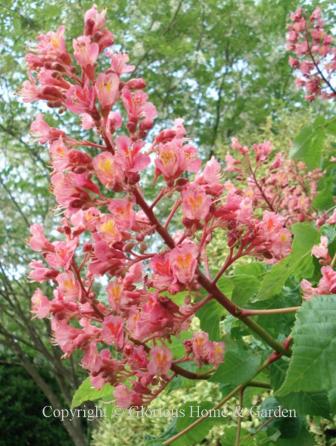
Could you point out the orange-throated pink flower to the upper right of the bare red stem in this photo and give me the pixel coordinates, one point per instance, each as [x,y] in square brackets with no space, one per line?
[195,202]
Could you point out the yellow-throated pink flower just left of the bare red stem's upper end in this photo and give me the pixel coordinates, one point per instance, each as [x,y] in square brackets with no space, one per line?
[108,170]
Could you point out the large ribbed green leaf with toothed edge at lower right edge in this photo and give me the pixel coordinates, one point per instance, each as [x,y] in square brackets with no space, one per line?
[312,365]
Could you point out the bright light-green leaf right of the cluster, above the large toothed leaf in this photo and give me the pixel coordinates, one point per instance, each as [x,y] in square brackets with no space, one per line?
[299,263]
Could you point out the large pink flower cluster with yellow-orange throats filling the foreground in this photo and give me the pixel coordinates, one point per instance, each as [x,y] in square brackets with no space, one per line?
[114,299]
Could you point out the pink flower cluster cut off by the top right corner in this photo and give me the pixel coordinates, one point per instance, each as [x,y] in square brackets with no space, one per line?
[314,54]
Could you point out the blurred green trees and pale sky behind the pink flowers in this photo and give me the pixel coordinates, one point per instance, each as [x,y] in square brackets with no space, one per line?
[219,64]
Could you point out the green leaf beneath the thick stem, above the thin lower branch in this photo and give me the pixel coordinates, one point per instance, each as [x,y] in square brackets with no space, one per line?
[239,365]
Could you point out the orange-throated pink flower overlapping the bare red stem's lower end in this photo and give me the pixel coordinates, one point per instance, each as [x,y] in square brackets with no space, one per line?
[183,261]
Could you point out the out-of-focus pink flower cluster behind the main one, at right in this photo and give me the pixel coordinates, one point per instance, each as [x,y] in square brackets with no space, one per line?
[282,187]
